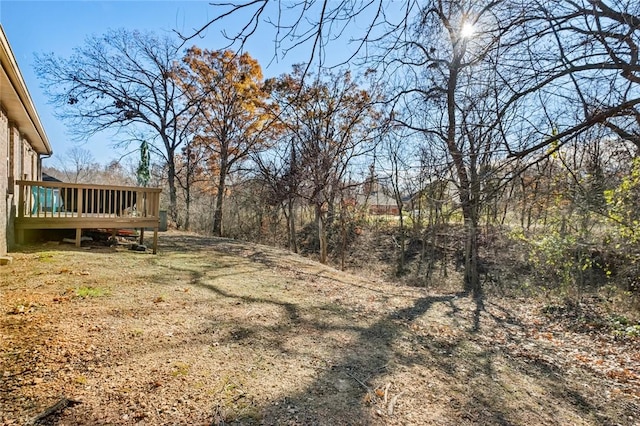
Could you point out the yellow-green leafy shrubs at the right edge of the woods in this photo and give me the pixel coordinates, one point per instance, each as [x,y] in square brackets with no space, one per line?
[590,234]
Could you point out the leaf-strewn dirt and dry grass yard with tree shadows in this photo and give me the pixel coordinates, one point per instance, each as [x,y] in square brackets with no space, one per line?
[214,332]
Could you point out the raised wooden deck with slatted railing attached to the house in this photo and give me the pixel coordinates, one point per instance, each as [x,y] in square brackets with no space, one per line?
[58,205]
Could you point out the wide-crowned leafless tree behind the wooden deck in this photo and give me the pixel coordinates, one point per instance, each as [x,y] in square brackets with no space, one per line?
[121,80]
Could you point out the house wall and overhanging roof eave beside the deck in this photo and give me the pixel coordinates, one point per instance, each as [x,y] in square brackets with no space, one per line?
[23,141]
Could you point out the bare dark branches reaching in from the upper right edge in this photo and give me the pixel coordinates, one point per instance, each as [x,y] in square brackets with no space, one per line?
[587,67]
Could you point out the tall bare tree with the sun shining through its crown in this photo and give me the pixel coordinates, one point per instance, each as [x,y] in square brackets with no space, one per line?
[451,95]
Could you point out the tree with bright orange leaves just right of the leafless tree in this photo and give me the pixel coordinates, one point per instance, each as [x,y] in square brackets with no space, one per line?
[231,112]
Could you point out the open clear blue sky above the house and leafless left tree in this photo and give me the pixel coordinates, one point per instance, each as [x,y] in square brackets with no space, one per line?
[59,26]
